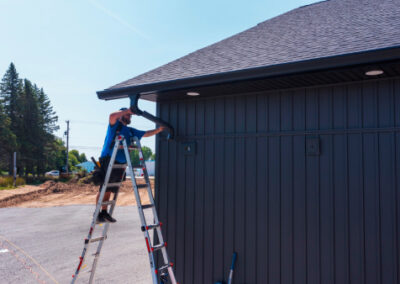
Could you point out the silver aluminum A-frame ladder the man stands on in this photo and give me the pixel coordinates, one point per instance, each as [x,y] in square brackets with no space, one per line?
[165,272]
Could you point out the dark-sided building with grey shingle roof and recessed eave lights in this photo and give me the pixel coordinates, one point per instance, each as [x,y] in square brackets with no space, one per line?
[294,149]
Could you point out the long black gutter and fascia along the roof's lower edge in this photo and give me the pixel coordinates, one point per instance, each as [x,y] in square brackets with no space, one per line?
[352,59]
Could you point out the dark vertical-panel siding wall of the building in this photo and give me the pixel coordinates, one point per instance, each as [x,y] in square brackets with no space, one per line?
[255,186]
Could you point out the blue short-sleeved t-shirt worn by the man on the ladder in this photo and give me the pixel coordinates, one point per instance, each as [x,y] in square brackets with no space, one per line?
[128,132]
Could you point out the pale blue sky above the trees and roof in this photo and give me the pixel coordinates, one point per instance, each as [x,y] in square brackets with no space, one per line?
[74,48]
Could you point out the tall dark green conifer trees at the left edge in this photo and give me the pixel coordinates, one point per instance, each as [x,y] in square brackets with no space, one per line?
[27,126]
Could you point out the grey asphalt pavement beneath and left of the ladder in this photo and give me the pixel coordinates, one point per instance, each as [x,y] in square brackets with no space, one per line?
[42,245]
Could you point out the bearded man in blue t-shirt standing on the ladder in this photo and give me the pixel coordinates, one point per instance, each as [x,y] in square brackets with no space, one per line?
[118,122]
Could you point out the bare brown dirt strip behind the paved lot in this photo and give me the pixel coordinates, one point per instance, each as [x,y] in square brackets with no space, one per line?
[53,193]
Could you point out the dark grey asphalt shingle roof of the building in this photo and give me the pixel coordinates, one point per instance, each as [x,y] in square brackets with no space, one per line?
[323,29]
